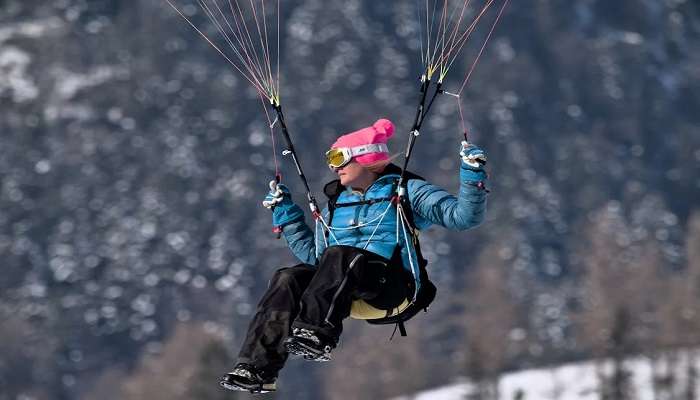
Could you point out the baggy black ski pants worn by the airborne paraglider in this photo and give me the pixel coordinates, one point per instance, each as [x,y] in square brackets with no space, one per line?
[319,298]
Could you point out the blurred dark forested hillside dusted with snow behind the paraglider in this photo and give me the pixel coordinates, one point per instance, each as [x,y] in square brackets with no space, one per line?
[133,160]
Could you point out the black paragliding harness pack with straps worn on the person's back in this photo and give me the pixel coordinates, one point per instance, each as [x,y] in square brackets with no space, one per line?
[427,290]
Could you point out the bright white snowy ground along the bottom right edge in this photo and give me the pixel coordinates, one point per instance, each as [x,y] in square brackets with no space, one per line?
[566,382]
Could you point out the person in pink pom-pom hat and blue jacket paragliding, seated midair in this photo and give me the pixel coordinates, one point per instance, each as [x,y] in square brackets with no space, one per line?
[360,263]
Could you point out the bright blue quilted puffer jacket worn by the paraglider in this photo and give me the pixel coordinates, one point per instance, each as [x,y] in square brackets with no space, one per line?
[374,226]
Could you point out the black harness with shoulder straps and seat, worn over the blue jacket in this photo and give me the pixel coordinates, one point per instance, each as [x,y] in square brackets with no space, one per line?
[426,290]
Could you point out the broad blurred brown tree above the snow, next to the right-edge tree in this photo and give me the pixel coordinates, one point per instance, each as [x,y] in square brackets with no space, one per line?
[620,297]
